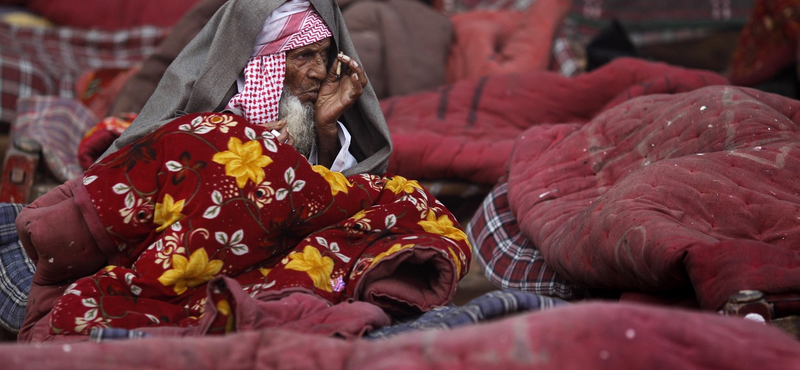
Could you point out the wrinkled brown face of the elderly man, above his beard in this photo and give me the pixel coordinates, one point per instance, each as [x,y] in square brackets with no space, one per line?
[306,68]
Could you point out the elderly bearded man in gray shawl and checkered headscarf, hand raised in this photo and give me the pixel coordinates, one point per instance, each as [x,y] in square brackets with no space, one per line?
[211,74]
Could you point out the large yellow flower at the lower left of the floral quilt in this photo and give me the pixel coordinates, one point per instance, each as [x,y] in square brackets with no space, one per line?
[190,273]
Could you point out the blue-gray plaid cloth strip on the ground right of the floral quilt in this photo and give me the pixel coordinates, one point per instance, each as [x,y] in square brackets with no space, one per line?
[489,306]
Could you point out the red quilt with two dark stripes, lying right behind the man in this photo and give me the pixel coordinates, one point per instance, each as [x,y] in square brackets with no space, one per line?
[467,130]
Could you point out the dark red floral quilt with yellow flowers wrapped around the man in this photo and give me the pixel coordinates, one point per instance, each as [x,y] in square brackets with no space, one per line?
[210,195]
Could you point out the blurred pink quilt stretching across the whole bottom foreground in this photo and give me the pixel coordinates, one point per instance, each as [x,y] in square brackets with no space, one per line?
[581,336]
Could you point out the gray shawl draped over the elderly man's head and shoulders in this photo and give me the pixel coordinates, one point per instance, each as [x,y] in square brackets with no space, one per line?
[203,78]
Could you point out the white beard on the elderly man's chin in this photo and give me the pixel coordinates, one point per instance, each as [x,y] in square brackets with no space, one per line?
[299,120]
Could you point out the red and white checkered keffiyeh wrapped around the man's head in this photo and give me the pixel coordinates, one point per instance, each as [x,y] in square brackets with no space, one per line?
[292,25]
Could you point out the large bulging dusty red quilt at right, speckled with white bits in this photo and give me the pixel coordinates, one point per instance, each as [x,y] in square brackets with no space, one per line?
[698,189]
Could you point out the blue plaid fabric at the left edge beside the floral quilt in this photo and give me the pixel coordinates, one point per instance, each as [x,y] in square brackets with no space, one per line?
[16,270]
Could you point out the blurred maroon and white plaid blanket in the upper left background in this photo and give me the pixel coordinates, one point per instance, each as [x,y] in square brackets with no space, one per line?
[48,61]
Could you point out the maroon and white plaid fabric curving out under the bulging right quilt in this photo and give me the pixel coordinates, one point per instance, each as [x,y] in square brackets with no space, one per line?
[508,259]
